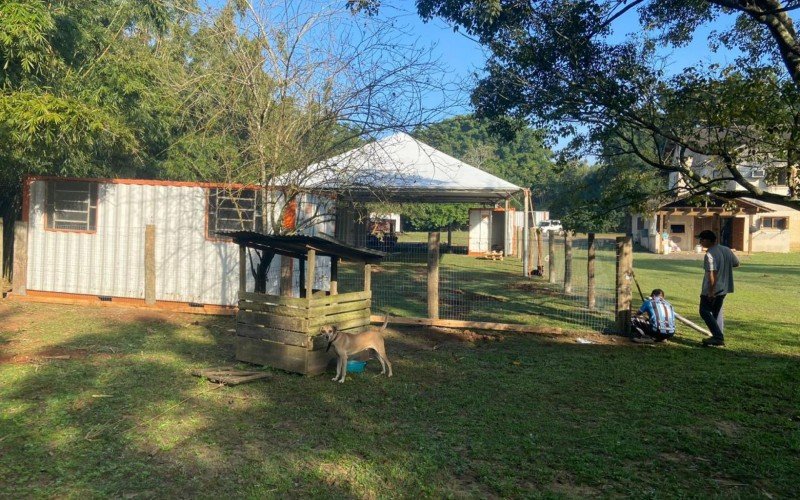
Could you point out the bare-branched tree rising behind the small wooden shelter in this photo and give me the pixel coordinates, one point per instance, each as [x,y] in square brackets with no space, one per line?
[275,89]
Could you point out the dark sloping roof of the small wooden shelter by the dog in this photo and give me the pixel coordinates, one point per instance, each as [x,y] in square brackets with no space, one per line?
[298,246]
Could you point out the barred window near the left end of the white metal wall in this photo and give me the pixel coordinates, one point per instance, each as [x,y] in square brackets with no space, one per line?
[71,205]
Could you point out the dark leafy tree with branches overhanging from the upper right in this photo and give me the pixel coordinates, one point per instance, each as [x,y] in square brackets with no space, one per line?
[558,64]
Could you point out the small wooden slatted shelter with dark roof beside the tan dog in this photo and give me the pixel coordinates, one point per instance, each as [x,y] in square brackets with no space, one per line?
[282,330]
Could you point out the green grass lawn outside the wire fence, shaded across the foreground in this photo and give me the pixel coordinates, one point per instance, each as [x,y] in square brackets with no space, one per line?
[525,416]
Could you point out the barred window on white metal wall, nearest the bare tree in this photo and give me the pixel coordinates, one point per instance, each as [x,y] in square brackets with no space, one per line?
[233,210]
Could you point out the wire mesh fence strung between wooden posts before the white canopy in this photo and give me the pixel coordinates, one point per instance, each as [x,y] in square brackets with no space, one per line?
[476,288]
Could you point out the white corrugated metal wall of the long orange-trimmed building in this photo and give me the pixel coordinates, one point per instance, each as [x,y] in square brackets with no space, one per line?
[189,267]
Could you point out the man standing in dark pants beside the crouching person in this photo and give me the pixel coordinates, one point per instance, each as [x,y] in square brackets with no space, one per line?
[717,283]
